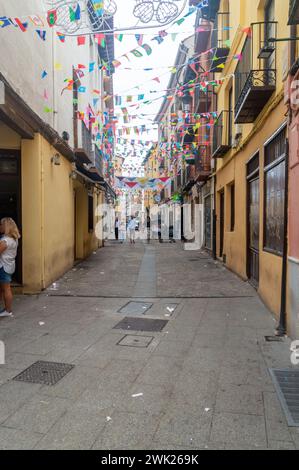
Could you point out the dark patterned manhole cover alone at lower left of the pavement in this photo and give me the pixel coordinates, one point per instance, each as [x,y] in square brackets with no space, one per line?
[46,373]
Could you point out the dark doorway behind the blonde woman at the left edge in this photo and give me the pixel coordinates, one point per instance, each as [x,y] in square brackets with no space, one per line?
[10,197]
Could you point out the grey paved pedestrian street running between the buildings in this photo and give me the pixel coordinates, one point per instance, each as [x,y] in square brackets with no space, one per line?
[200,382]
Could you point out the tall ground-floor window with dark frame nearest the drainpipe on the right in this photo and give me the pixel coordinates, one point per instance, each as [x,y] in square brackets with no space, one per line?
[274,194]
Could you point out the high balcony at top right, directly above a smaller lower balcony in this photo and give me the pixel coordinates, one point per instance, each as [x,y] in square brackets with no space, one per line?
[220,42]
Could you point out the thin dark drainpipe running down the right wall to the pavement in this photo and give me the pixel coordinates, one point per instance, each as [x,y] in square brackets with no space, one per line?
[281,329]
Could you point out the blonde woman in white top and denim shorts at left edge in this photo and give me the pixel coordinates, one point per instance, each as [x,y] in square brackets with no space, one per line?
[8,253]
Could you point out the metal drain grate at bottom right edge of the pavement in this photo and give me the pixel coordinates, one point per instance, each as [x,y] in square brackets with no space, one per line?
[286,382]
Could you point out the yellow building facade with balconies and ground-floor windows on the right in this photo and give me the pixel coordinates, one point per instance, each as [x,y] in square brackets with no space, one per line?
[249,143]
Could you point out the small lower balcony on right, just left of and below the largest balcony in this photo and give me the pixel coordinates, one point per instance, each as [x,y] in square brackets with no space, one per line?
[222,134]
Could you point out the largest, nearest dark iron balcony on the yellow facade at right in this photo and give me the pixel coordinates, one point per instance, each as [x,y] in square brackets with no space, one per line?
[255,76]
